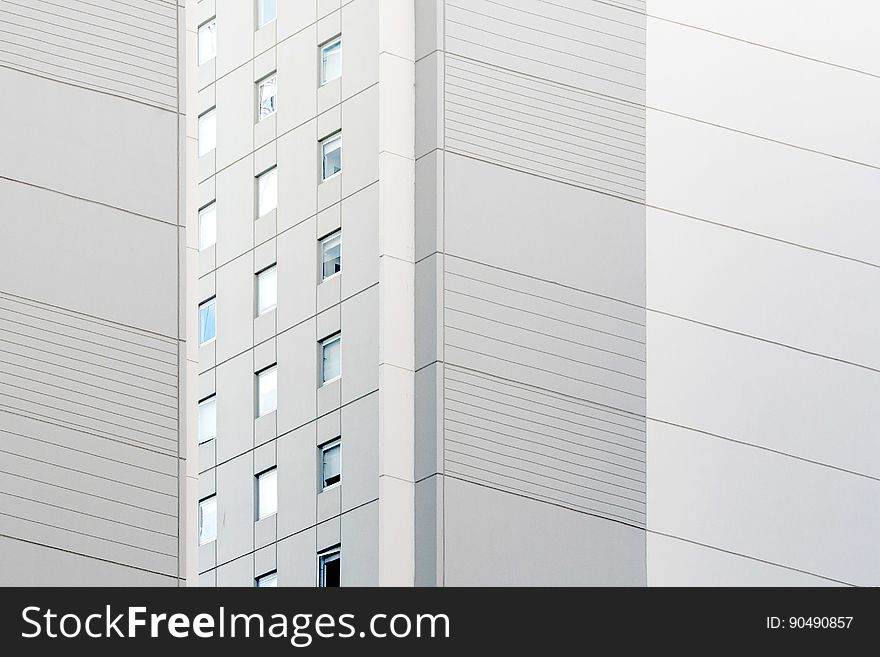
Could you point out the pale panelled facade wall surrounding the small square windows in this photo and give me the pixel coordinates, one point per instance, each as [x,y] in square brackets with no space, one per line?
[369,303]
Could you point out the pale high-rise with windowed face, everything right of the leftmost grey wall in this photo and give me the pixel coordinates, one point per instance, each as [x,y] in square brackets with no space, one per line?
[531,292]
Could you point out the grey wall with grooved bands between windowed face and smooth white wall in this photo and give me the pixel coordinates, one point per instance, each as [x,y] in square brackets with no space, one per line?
[530,287]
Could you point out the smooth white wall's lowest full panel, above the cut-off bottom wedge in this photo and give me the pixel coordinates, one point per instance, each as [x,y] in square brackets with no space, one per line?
[786,511]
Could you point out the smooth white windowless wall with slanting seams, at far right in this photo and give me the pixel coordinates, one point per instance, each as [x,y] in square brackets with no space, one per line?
[762,266]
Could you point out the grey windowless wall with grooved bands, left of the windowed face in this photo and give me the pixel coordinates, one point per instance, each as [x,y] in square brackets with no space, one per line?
[92,470]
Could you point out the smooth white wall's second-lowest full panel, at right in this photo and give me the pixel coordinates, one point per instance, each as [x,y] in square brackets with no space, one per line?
[758,393]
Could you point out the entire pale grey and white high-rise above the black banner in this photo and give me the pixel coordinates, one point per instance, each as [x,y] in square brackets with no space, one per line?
[439,293]
